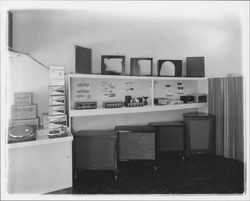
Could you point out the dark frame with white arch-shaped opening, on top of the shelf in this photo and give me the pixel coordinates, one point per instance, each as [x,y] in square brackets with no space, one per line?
[169,68]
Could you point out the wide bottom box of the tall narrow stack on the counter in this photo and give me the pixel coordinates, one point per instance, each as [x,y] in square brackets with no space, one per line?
[53,122]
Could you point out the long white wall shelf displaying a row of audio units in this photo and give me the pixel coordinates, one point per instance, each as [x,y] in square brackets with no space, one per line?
[150,86]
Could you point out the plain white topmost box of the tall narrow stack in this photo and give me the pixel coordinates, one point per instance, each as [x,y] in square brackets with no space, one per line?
[56,75]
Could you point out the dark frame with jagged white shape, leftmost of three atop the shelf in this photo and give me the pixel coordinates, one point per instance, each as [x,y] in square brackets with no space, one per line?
[113,65]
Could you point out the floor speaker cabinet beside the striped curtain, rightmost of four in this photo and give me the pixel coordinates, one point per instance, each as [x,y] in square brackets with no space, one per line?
[200,132]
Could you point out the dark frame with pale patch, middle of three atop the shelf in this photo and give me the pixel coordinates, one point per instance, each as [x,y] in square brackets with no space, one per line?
[141,66]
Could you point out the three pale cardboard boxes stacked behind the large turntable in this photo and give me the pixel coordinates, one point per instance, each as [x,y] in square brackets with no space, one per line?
[24,112]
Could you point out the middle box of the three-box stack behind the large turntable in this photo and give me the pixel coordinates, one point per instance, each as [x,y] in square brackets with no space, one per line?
[23,111]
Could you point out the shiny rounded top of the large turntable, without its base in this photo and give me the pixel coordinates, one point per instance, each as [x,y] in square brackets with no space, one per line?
[20,131]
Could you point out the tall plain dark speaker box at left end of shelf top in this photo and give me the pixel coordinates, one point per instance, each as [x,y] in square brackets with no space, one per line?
[83,60]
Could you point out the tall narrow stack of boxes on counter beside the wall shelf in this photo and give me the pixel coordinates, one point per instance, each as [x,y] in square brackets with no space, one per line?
[56,117]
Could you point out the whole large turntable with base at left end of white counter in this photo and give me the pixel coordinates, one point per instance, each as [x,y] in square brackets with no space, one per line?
[21,133]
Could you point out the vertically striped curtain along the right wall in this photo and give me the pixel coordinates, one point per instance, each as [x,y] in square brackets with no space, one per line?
[226,103]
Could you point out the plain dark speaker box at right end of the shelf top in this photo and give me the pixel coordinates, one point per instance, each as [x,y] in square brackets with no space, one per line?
[195,67]
